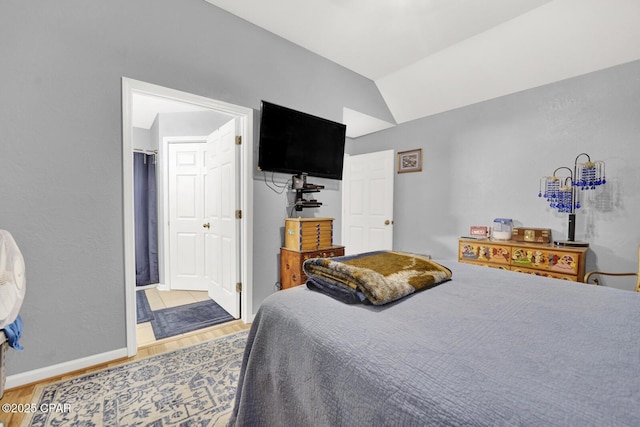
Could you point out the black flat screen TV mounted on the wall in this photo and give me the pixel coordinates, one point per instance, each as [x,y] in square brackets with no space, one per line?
[299,143]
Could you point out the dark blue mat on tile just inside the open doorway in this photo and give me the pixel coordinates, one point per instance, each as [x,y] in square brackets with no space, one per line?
[169,322]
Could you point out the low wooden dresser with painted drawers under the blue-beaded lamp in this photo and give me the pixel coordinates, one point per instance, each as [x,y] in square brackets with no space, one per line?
[542,259]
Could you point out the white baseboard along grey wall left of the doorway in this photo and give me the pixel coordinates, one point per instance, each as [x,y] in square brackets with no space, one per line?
[47,372]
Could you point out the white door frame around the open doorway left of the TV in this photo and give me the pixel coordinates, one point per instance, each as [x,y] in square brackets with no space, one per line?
[244,115]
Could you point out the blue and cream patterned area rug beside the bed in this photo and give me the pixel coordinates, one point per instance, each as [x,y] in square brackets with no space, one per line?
[192,386]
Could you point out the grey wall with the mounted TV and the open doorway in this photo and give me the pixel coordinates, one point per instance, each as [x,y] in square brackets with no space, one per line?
[61,144]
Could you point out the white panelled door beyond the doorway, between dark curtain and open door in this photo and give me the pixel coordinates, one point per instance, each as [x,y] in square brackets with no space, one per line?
[186,216]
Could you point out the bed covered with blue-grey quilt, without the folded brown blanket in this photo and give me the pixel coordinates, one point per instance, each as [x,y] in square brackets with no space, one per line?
[489,347]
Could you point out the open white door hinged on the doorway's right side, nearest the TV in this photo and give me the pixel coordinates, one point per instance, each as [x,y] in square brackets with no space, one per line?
[221,243]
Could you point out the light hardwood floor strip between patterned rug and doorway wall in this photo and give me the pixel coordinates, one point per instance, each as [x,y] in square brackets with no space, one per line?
[24,394]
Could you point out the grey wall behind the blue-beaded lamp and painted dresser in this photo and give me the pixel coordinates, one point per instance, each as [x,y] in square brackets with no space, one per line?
[485,161]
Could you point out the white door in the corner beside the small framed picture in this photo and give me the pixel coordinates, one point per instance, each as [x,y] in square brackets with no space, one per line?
[367,202]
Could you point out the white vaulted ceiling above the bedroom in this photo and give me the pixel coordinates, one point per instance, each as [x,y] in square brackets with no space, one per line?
[430,56]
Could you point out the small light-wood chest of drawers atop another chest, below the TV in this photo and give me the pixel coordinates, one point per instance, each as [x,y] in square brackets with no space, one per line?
[307,234]
